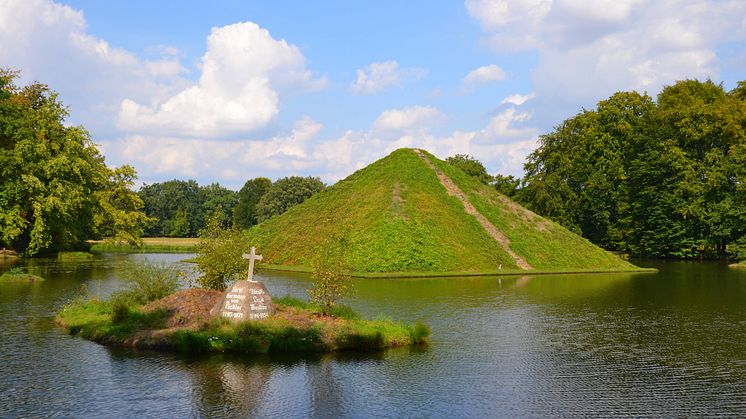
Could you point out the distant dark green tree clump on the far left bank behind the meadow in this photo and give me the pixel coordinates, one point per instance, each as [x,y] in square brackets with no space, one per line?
[181,208]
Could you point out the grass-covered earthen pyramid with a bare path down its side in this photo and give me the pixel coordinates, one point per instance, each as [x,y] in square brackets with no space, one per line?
[411,212]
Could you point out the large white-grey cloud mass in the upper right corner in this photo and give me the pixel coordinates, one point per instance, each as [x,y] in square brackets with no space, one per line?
[587,50]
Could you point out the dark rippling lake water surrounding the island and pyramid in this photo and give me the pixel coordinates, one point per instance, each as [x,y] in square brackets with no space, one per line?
[666,344]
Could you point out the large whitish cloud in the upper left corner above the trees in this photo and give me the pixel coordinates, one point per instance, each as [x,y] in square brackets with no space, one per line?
[48,41]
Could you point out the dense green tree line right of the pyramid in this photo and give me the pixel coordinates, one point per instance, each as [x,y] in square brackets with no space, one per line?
[655,178]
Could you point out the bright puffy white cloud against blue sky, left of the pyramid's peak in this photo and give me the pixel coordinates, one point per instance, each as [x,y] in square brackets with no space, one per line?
[236,93]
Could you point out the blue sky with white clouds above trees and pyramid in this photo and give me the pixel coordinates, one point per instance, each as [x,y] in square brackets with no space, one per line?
[226,91]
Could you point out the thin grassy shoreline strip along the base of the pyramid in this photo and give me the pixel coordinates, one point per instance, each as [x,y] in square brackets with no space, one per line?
[495,272]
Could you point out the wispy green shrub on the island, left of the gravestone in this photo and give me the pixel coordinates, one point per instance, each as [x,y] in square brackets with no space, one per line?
[146,281]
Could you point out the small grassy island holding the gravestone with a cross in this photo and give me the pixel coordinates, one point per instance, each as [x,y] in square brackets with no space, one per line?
[150,314]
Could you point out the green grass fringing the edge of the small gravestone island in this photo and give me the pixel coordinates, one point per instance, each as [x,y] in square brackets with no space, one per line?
[94,320]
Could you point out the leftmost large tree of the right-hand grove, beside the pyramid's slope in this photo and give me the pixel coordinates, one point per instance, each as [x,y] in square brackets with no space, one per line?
[577,174]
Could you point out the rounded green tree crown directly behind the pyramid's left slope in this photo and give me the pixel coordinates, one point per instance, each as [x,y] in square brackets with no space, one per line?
[285,193]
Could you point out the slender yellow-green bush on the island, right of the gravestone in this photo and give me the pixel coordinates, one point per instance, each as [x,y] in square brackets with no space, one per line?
[330,277]
